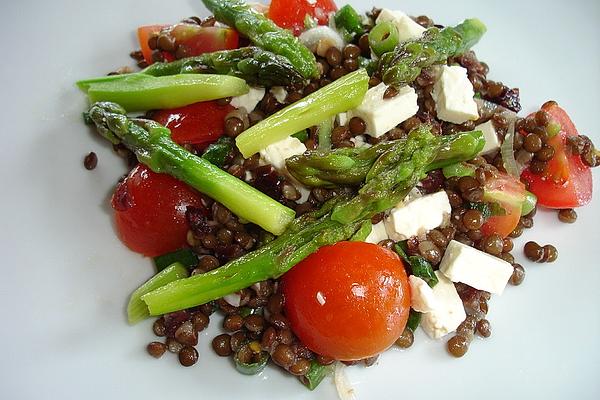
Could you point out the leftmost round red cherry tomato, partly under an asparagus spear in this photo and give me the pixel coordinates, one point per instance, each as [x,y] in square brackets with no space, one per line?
[150,211]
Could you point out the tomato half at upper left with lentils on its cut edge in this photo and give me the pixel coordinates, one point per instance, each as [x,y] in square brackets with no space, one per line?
[195,39]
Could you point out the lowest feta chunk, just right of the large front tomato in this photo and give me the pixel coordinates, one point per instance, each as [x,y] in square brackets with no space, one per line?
[449,311]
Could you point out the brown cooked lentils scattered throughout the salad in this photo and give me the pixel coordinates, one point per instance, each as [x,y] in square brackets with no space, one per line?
[256,324]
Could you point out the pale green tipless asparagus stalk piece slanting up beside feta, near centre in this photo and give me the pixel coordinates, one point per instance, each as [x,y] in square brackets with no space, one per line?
[342,95]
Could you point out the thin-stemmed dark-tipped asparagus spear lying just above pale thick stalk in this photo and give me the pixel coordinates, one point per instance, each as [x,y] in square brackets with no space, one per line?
[254,65]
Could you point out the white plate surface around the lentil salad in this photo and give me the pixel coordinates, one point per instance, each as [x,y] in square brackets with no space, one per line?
[65,276]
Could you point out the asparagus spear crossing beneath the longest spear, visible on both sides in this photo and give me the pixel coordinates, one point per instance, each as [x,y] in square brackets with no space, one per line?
[349,166]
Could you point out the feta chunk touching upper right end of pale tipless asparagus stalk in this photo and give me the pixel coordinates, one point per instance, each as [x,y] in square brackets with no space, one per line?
[381,115]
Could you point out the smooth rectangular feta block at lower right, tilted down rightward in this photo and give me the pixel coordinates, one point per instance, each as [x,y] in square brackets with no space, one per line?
[462,263]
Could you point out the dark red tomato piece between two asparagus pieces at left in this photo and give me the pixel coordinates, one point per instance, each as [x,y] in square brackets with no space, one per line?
[199,124]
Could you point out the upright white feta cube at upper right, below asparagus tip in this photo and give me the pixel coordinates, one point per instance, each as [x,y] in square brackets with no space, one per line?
[453,96]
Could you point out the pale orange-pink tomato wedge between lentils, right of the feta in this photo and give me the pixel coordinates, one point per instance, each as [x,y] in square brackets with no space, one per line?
[509,193]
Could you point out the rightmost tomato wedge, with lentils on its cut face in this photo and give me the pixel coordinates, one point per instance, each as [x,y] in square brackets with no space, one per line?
[567,182]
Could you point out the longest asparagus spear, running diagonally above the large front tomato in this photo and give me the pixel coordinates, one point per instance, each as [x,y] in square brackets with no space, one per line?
[306,234]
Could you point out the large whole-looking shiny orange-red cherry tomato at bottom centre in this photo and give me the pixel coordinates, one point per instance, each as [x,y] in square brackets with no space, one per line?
[348,301]
